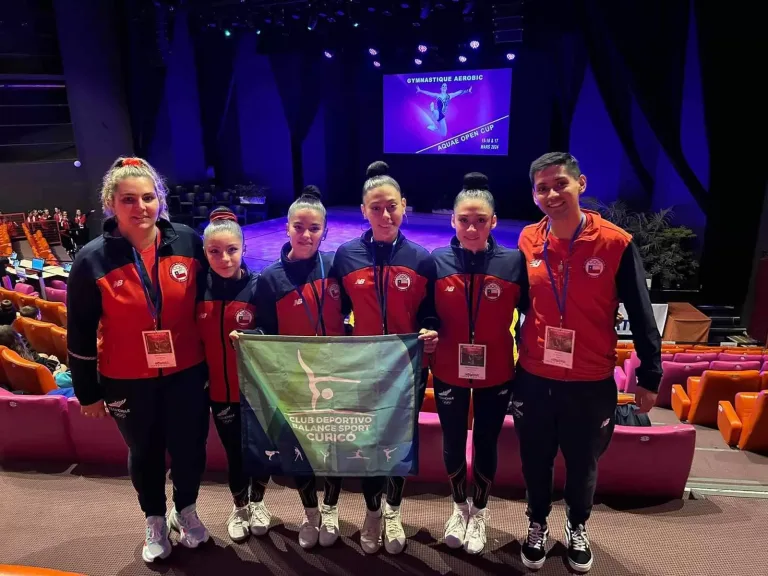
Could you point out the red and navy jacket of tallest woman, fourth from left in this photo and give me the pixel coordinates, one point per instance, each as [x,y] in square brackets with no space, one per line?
[405,274]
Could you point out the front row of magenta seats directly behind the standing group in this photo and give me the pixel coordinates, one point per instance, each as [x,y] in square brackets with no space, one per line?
[642,461]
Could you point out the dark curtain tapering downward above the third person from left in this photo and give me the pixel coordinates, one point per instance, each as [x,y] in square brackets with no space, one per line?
[299,79]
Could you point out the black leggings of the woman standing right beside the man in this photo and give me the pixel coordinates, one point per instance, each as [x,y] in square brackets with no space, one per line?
[490,407]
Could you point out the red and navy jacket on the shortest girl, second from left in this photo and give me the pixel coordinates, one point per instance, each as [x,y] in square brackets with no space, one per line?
[224,305]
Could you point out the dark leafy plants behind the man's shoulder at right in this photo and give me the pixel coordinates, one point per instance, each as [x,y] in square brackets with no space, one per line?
[665,248]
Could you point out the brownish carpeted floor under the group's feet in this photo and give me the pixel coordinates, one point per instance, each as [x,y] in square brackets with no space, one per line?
[92,525]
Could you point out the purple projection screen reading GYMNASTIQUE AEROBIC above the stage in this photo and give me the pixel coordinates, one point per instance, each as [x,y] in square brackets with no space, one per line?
[407,113]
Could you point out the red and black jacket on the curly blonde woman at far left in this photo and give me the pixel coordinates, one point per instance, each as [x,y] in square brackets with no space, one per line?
[105,297]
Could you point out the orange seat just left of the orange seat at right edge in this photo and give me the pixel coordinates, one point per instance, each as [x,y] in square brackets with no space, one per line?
[699,405]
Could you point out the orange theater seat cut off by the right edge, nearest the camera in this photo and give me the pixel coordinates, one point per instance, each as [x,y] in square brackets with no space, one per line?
[745,423]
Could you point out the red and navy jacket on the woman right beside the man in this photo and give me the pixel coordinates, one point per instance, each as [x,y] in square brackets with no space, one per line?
[487,287]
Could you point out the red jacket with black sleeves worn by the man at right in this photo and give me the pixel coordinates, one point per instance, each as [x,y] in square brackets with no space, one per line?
[605,268]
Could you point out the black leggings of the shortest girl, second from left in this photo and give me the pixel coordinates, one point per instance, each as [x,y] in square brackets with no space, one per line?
[244,489]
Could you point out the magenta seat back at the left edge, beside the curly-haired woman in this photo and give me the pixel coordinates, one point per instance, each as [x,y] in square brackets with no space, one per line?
[34,428]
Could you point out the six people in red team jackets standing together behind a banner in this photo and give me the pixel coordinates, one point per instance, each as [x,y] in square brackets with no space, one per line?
[152,308]
